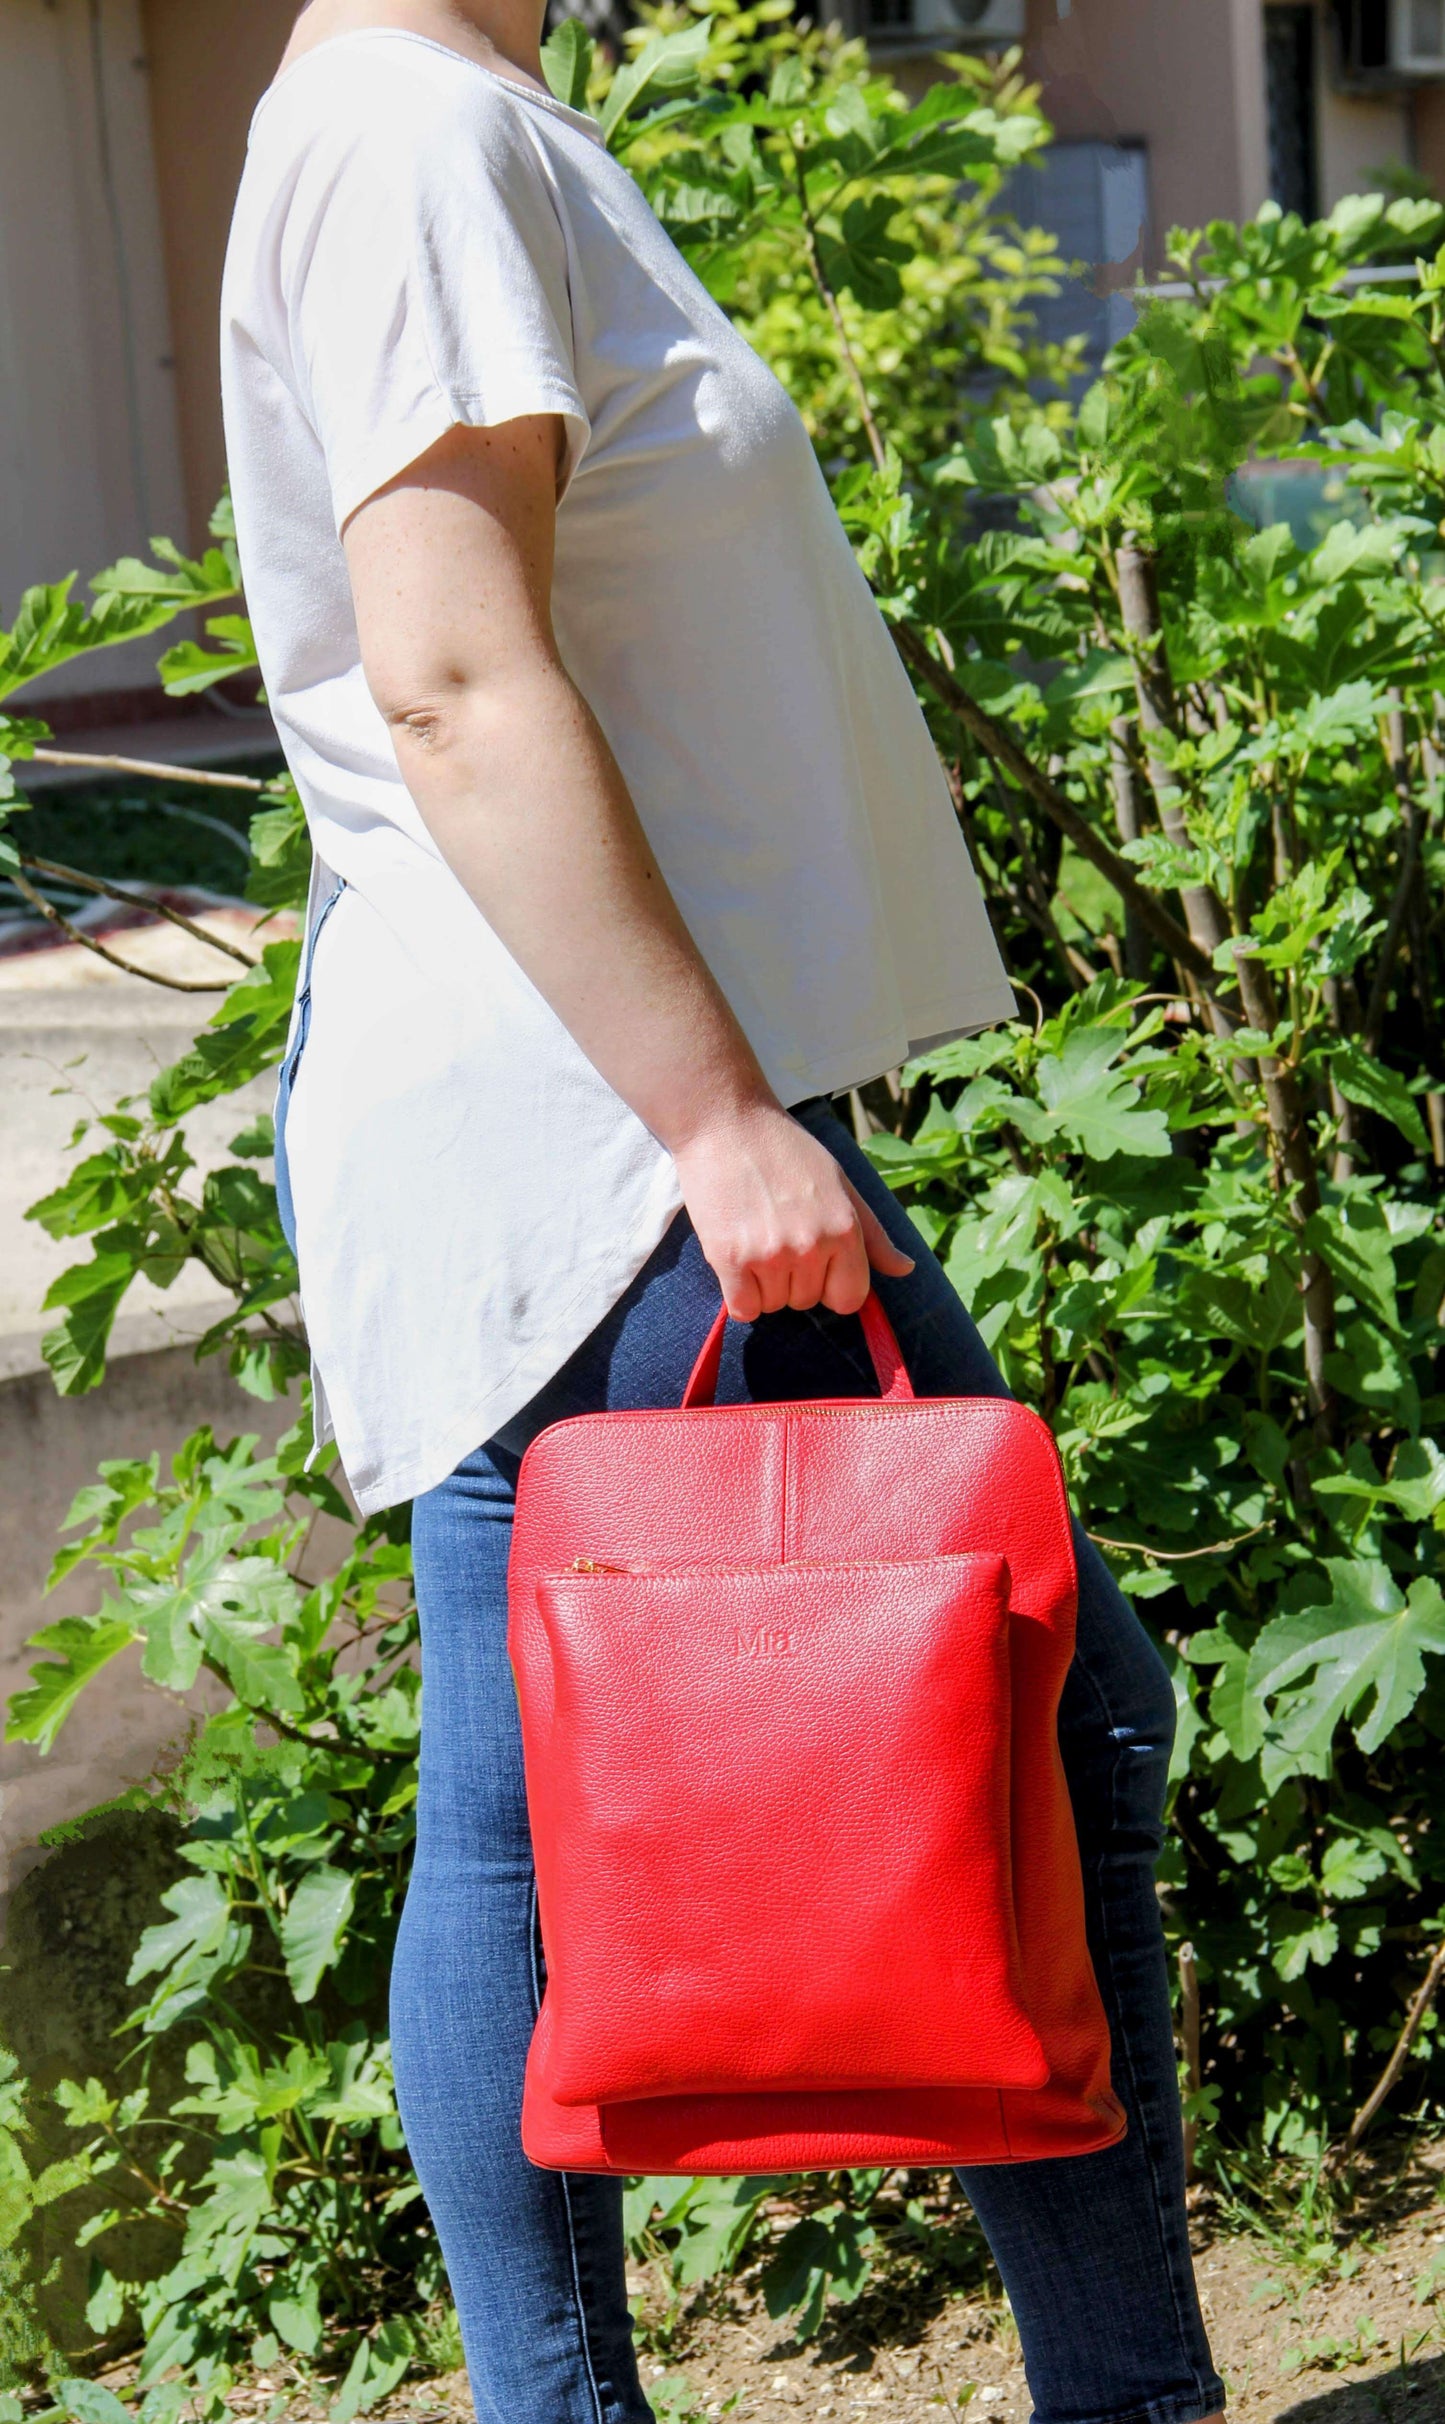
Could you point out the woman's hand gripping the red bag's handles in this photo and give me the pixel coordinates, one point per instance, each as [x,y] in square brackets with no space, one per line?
[777,1218]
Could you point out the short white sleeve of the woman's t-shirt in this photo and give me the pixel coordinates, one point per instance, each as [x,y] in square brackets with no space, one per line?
[428,287]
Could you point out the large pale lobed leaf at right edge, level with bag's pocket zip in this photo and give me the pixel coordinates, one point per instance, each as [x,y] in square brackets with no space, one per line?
[1357,1657]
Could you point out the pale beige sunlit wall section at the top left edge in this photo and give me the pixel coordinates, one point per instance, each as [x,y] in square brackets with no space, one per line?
[88,440]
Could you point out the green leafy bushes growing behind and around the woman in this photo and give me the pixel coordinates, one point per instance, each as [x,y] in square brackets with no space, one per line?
[1194,1196]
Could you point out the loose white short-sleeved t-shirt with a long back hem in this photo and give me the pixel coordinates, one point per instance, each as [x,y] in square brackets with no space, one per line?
[423,244]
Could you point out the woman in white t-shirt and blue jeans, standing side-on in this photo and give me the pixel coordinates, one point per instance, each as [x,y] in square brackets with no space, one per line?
[632,852]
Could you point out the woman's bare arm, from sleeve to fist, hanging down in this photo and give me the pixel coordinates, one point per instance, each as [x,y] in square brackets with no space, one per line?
[452,576]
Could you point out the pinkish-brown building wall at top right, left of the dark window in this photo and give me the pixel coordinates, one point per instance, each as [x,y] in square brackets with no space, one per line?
[1180,76]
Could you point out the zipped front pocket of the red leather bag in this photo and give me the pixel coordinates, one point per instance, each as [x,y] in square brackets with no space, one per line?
[772,1831]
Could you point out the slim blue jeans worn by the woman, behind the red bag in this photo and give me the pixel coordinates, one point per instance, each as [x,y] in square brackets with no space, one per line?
[1092,2248]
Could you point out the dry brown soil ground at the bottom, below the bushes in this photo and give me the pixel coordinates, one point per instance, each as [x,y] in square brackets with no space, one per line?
[1310,2326]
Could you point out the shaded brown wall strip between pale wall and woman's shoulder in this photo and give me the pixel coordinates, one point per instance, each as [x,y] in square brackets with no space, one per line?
[210,64]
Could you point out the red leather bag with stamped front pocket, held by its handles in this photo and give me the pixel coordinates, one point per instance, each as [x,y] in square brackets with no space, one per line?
[806,1863]
